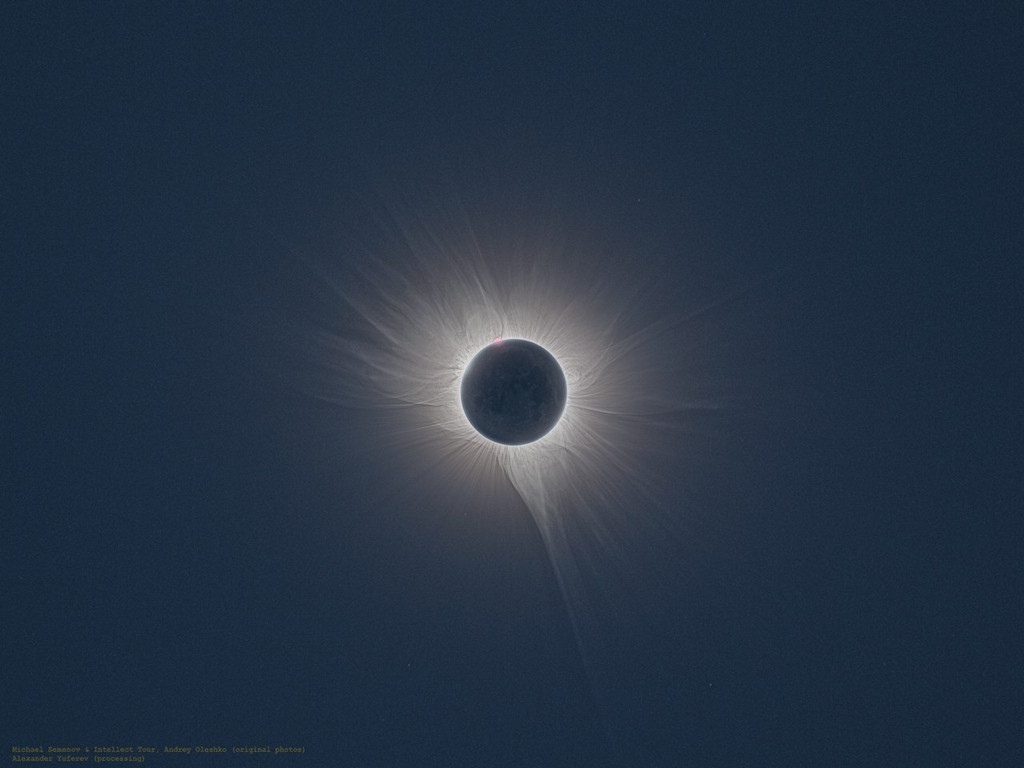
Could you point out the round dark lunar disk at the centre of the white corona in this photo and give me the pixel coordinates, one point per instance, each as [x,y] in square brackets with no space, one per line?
[514,392]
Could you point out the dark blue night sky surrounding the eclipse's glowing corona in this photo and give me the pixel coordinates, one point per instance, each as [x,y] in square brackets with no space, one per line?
[196,552]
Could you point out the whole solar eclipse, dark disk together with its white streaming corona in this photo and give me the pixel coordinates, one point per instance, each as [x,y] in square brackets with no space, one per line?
[605,392]
